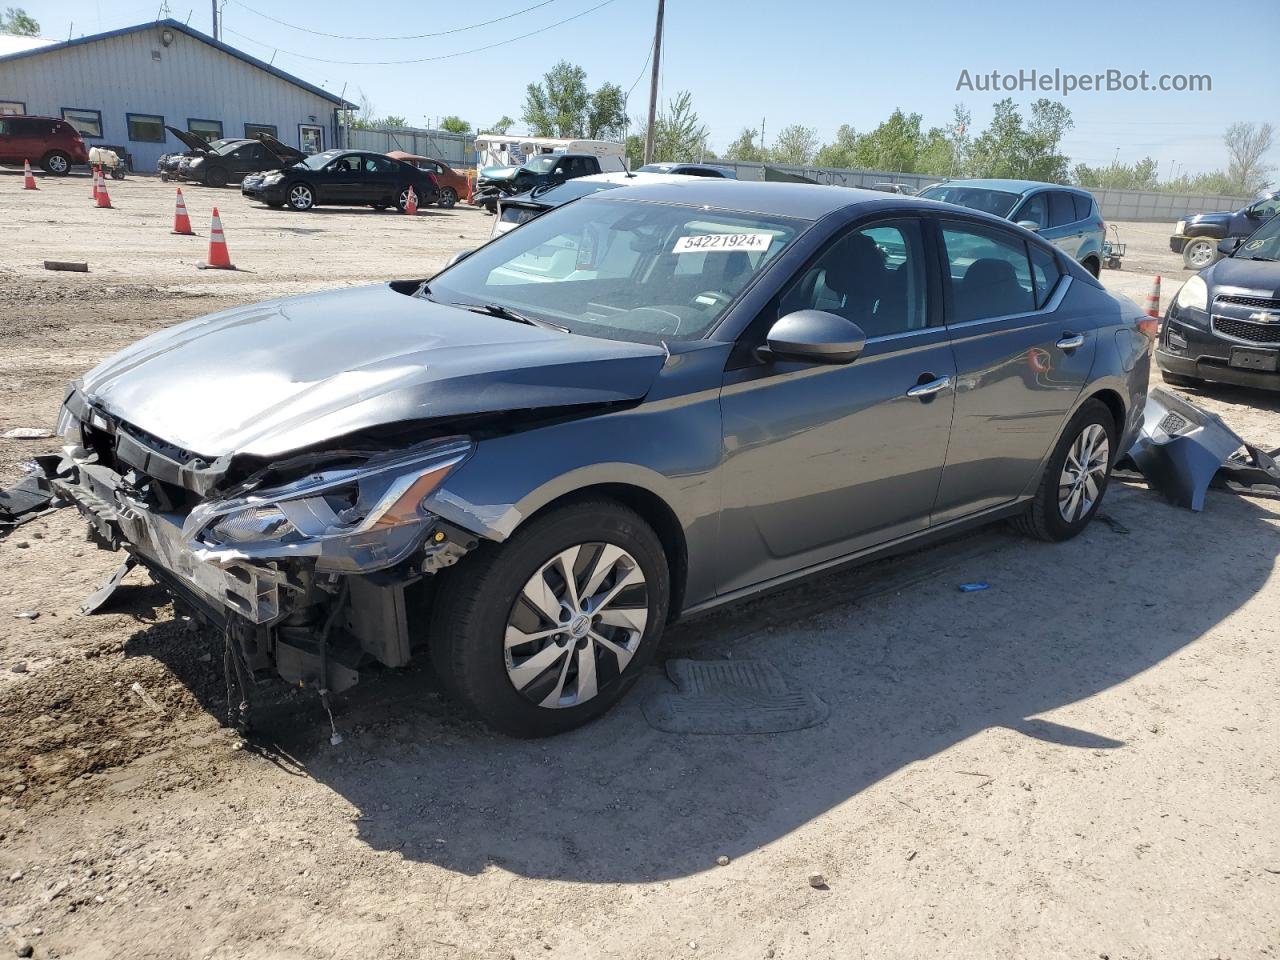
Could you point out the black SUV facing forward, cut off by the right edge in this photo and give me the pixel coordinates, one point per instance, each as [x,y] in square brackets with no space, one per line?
[1224,324]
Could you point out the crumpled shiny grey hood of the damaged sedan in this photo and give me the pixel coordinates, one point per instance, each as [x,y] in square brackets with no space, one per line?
[278,377]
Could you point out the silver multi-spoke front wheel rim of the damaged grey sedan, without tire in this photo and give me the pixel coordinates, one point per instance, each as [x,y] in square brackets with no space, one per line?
[575,625]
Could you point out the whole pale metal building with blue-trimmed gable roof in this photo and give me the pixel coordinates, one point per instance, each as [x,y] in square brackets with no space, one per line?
[126,85]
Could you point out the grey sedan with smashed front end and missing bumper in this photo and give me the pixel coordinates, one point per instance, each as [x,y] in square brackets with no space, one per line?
[642,405]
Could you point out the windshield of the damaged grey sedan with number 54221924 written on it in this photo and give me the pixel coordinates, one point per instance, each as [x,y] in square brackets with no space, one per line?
[621,271]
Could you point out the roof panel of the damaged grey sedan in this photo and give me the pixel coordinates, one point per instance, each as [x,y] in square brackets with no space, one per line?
[799,202]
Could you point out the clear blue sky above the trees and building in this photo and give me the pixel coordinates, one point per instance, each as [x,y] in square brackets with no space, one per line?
[820,65]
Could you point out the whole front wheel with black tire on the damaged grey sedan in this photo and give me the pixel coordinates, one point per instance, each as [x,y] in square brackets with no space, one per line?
[548,630]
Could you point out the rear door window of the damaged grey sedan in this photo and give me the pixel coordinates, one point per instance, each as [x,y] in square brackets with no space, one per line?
[990,273]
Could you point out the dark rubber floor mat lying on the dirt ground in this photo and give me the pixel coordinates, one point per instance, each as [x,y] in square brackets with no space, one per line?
[732,698]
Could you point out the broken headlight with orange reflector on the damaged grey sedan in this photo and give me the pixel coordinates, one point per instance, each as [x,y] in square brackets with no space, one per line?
[351,519]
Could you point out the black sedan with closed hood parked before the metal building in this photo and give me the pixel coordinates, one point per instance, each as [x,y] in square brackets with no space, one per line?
[342,179]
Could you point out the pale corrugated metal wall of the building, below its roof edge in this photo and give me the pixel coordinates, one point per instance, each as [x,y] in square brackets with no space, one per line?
[191,80]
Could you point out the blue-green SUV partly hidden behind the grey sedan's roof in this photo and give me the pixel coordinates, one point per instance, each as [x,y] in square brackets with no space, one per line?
[1067,217]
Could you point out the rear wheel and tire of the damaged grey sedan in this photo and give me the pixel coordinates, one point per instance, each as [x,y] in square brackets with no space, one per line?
[1076,477]
